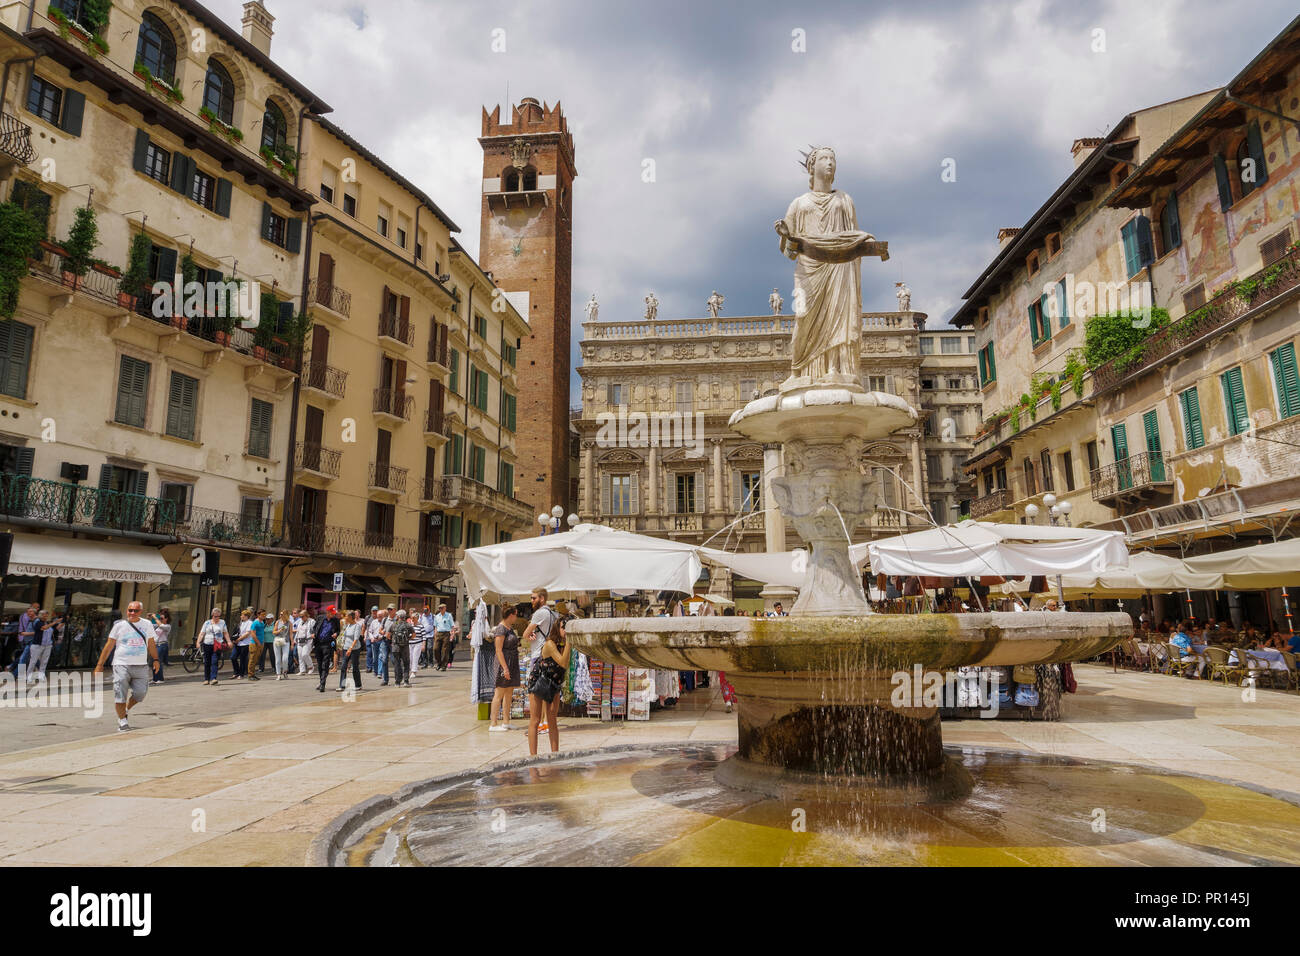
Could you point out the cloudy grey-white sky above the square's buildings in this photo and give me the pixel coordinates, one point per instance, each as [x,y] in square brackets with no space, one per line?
[718,97]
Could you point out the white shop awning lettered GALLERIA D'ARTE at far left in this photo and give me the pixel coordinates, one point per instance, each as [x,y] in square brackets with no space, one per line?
[46,556]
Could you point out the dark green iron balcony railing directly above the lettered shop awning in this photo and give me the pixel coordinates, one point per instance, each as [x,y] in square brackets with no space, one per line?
[59,503]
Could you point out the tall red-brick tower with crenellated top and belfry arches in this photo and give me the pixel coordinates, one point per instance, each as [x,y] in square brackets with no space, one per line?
[526,243]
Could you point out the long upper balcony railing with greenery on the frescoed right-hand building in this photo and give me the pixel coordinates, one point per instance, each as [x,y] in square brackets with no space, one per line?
[1232,304]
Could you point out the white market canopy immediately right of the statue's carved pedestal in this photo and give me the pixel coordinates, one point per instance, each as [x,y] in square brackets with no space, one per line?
[972,550]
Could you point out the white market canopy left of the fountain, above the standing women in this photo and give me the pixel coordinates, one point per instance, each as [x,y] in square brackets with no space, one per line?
[588,559]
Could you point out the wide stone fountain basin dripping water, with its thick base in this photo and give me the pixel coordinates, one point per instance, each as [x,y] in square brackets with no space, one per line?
[817,697]
